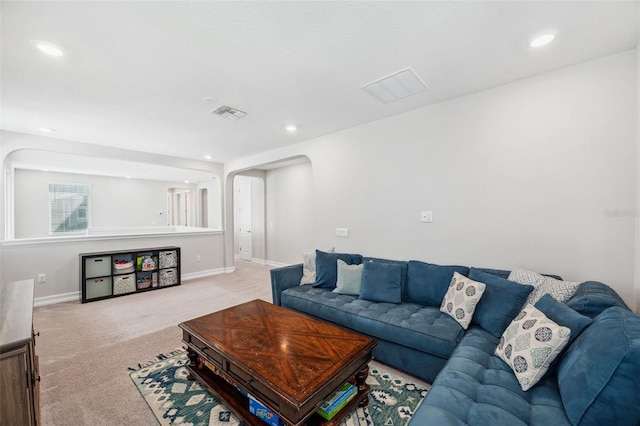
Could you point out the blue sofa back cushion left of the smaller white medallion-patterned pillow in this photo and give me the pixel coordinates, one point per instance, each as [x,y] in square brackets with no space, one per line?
[428,283]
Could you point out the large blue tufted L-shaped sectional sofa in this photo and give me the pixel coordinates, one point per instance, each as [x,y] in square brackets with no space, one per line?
[594,381]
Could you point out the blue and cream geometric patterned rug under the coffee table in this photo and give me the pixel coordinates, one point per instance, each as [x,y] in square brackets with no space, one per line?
[175,400]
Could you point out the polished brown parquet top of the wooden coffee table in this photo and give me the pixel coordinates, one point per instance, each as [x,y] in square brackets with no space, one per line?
[283,349]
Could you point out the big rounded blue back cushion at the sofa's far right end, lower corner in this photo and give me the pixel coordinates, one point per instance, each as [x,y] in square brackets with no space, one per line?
[598,377]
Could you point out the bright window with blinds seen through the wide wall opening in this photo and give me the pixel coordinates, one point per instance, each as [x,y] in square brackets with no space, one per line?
[68,208]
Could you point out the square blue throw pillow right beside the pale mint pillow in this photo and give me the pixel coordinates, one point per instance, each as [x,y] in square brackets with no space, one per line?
[381,282]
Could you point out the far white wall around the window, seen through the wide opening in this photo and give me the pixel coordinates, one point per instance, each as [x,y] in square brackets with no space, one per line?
[113,202]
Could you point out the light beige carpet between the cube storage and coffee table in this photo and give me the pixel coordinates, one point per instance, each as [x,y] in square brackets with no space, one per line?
[85,349]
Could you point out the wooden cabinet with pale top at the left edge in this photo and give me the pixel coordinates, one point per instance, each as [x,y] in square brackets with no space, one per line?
[19,376]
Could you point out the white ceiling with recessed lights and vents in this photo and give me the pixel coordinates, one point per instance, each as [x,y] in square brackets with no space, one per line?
[135,73]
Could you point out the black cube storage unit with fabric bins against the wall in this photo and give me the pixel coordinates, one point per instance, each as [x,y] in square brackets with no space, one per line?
[118,273]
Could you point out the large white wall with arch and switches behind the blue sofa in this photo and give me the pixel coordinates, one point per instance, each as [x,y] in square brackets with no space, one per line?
[540,173]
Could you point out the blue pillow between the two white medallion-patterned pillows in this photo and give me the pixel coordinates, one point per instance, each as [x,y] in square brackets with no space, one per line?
[501,302]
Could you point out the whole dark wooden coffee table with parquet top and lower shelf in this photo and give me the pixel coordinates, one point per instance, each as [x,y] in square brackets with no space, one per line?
[288,361]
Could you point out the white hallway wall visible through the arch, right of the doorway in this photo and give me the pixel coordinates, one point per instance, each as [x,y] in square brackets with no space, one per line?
[290,213]
